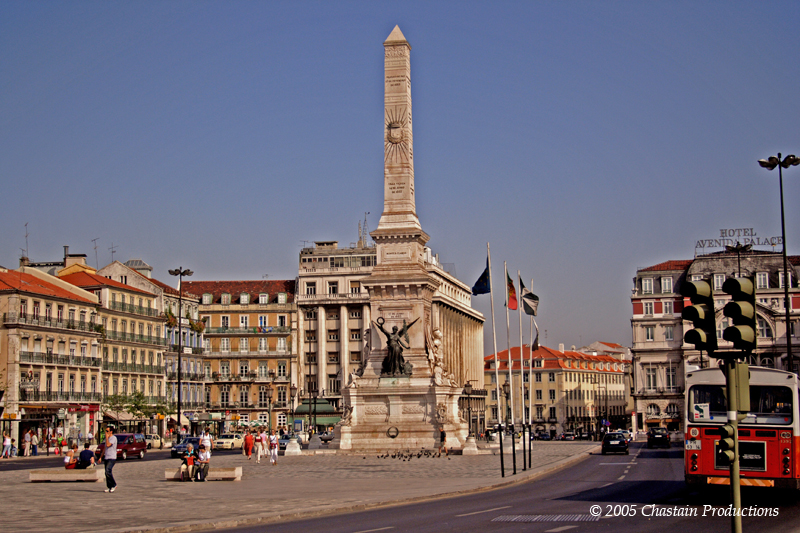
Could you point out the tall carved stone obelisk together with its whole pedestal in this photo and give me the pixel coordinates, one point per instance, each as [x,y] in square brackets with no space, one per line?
[399,410]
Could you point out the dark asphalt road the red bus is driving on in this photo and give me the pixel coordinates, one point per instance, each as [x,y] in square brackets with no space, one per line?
[632,493]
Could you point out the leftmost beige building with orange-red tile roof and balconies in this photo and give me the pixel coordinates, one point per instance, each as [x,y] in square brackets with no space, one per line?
[49,352]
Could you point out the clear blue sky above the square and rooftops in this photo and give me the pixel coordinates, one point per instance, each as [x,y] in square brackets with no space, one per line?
[582,139]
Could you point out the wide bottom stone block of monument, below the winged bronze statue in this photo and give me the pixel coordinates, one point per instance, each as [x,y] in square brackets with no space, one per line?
[400,413]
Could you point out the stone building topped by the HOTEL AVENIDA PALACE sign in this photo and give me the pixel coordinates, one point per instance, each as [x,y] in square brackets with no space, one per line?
[660,356]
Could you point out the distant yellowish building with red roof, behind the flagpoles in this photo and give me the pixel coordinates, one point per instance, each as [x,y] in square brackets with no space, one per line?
[563,390]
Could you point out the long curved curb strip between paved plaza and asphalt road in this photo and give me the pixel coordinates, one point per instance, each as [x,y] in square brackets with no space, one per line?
[520,478]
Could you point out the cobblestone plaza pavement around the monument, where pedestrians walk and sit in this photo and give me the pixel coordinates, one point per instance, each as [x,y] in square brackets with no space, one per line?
[297,485]
